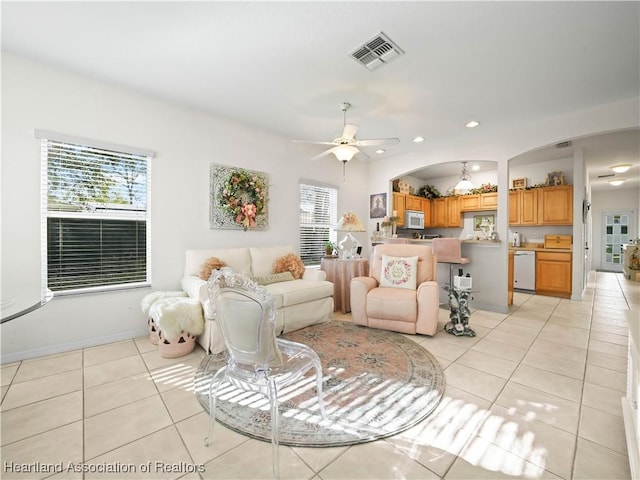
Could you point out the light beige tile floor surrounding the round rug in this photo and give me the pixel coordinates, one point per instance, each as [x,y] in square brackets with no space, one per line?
[536,394]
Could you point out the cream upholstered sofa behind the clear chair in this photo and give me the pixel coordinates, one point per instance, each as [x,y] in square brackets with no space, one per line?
[299,303]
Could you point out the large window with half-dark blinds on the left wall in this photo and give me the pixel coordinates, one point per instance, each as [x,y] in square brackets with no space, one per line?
[96,216]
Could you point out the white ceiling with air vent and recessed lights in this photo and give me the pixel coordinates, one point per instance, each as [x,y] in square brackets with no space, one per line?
[285,66]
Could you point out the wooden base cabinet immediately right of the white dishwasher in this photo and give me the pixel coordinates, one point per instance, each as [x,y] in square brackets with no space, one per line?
[553,274]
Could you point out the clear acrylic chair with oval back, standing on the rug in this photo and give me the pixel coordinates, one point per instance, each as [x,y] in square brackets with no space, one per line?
[257,360]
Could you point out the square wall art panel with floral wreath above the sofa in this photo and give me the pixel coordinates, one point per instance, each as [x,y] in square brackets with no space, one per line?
[239,198]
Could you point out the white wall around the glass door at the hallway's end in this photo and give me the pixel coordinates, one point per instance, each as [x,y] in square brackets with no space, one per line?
[611,200]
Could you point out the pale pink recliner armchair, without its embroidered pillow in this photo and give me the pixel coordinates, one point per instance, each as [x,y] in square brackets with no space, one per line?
[404,310]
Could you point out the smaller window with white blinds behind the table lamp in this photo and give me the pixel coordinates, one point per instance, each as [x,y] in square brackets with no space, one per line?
[318,218]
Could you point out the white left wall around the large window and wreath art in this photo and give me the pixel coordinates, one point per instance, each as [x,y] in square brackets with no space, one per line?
[186,142]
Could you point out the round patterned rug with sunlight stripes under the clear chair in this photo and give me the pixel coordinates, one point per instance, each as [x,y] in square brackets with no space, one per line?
[376,384]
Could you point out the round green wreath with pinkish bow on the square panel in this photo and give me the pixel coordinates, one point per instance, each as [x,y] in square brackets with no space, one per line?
[243,197]
